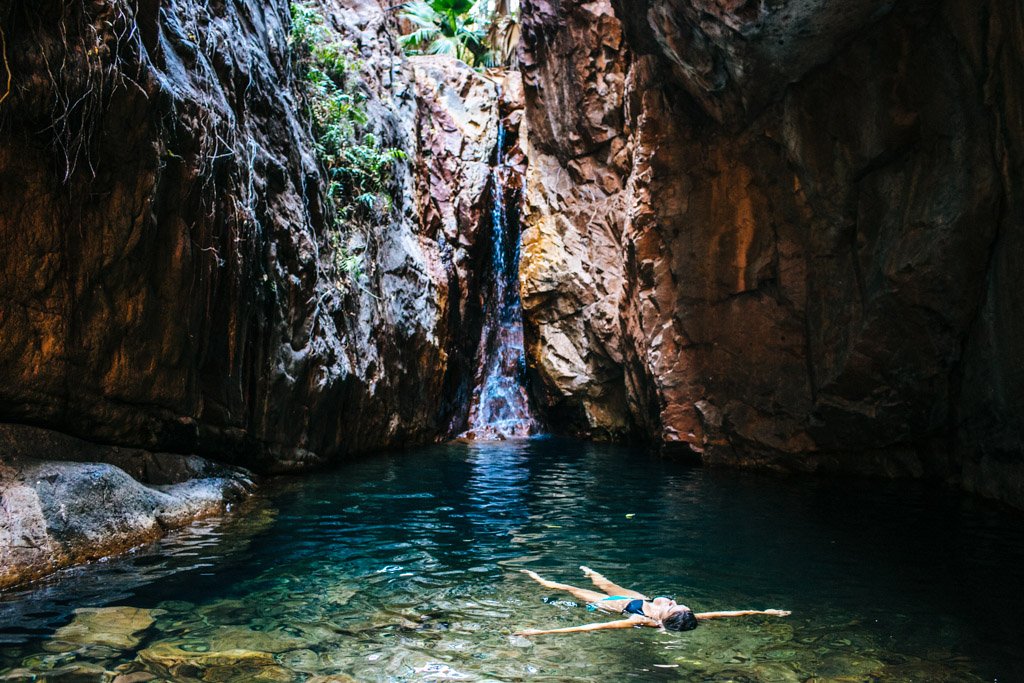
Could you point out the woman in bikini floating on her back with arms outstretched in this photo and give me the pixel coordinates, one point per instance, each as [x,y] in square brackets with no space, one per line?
[639,611]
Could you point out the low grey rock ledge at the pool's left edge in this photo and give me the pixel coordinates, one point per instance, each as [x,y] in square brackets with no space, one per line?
[66,502]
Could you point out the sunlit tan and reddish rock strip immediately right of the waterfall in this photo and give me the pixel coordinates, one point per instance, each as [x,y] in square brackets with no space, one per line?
[580,150]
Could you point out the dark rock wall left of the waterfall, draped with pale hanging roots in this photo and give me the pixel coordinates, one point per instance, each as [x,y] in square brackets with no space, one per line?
[165,283]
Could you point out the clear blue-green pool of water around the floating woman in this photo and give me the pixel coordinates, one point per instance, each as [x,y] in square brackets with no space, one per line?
[405,568]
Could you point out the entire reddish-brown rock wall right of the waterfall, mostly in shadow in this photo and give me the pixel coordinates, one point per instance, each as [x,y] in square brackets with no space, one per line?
[808,216]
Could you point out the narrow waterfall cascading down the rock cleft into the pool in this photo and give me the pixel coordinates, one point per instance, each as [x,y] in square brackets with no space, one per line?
[500,406]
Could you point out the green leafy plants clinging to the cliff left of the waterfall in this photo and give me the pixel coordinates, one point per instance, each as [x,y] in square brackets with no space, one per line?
[359,167]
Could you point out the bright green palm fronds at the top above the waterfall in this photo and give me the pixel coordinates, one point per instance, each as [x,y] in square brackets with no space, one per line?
[482,33]
